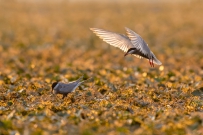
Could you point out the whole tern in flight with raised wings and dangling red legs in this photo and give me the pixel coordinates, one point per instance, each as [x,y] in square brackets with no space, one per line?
[131,44]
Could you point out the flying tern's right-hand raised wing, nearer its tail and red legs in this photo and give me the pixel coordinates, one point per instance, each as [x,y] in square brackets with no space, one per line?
[138,42]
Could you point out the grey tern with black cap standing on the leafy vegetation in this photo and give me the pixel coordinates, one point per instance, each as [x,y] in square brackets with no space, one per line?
[65,88]
